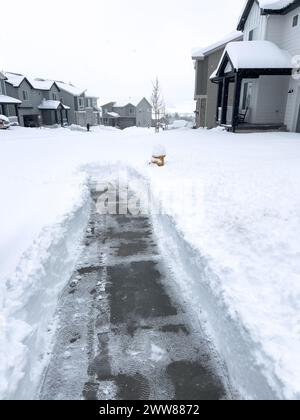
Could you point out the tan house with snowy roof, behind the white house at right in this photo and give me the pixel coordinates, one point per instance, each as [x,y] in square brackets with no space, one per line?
[206,93]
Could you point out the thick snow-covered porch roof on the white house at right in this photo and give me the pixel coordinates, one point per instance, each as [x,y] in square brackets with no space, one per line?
[257,55]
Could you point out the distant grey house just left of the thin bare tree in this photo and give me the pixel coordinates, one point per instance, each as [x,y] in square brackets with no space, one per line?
[124,115]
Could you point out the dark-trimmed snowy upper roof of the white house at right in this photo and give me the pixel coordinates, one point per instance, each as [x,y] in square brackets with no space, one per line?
[268,7]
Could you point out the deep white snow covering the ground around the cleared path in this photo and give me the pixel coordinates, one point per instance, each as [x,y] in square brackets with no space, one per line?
[244,233]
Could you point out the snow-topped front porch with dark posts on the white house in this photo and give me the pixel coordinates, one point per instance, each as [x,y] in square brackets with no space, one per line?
[253,79]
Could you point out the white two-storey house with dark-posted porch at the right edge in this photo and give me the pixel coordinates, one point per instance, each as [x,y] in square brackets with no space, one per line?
[263,70]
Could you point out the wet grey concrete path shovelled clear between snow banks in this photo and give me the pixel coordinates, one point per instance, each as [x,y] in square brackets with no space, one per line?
[122,330]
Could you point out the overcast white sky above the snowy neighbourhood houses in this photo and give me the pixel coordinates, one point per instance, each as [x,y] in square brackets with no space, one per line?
[114,48]
